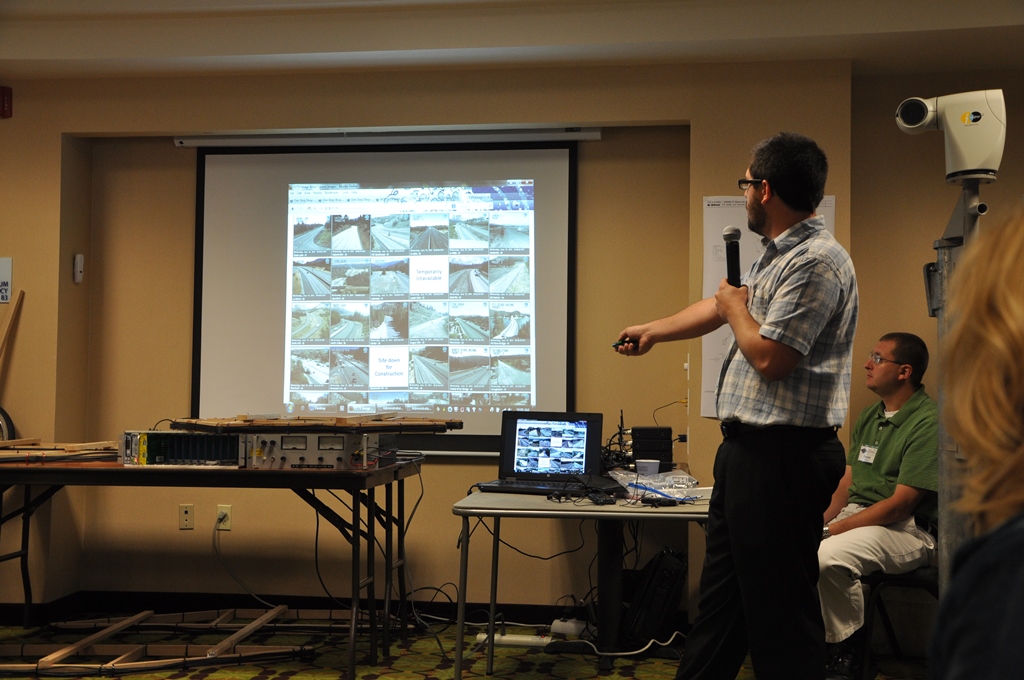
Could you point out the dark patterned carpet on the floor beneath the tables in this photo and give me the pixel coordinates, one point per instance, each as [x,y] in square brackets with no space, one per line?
[428,654]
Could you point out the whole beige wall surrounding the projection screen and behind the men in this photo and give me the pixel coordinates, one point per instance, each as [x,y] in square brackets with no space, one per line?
[673,135]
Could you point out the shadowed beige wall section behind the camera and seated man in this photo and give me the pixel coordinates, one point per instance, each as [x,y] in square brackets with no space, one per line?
[902,205]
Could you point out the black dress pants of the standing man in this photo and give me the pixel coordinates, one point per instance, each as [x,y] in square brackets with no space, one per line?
[759,584]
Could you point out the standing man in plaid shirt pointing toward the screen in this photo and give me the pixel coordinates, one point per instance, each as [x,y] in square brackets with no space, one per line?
[783,394]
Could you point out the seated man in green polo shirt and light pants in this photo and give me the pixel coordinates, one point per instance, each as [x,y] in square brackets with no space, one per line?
[883,516]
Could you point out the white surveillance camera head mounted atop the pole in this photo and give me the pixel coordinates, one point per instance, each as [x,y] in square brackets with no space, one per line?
[975,127]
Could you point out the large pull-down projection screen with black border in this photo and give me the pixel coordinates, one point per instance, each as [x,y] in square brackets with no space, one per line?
[421,282]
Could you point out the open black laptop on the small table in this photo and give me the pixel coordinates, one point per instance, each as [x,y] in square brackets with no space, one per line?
[550,452]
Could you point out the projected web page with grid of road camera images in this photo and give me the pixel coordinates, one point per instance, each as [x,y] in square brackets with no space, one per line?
[412,300]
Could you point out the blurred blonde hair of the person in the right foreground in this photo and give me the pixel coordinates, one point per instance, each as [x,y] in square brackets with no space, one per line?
[984,372]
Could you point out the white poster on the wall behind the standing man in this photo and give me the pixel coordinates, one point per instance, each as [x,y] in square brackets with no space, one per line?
[722,211]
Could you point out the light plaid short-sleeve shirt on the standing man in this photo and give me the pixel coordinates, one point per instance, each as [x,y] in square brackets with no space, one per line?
[803,291]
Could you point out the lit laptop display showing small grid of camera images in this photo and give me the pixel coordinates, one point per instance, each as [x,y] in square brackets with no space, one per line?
[550,447]
